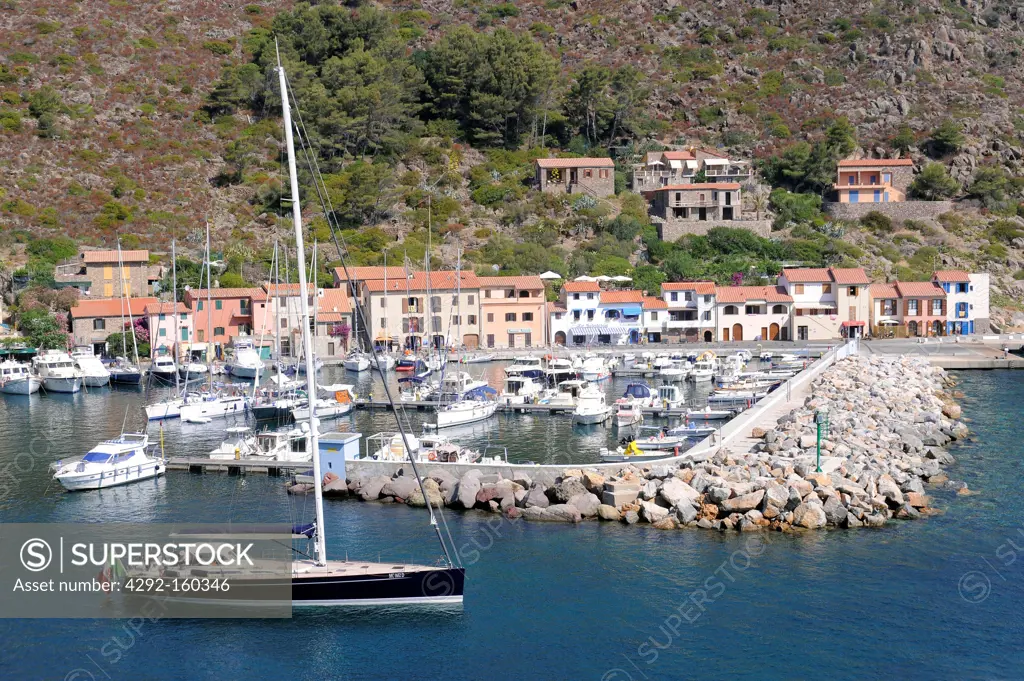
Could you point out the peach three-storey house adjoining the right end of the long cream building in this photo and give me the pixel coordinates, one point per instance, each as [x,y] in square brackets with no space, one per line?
[514,312]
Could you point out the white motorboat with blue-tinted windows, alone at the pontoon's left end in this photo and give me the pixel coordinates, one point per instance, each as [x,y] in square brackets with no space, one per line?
[111,463]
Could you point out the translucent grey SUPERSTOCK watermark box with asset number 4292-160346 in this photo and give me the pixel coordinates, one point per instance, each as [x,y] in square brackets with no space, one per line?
[146,571]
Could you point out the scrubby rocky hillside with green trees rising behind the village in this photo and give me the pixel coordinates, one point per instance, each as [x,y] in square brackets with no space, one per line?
[149,120]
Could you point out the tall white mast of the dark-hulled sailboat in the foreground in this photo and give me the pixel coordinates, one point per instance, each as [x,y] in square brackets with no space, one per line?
[321,550]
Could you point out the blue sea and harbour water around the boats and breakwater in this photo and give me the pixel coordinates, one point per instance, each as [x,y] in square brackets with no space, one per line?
[934,599]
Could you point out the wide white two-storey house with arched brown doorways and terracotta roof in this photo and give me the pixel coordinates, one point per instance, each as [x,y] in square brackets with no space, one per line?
[753,313]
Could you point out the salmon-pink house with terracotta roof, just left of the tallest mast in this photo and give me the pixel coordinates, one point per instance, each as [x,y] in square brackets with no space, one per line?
[223,315]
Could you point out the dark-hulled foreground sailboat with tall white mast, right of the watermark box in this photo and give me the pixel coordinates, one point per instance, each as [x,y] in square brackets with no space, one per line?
[318,581]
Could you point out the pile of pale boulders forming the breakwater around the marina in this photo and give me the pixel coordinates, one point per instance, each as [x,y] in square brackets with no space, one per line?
[889,420]
